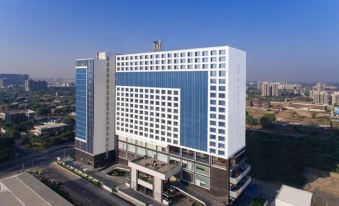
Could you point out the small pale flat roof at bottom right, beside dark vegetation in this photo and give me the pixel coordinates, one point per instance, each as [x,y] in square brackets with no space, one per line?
[294,196]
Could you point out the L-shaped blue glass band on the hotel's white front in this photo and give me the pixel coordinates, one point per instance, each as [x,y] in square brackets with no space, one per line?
[193,100]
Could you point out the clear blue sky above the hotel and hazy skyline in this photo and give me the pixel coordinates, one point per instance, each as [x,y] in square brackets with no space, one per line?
[285,40]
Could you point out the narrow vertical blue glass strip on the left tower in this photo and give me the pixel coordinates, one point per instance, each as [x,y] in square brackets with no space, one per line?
[81,103]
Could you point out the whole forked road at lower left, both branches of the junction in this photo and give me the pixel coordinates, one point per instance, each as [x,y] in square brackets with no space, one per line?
[81,190]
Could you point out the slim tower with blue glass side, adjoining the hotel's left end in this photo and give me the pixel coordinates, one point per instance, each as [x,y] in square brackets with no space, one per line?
[95,94]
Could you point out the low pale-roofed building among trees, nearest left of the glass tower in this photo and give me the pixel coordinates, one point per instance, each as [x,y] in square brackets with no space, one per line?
[48,129]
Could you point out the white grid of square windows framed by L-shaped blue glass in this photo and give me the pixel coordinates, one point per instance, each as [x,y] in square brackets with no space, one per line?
[148,114]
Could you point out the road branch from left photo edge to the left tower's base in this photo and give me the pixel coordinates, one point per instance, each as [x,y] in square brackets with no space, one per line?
[25,160]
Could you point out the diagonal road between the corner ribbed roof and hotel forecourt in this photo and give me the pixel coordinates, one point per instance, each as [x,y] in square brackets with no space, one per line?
[83,191]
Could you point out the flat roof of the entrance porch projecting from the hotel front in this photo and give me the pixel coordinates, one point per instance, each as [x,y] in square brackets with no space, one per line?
[155,165]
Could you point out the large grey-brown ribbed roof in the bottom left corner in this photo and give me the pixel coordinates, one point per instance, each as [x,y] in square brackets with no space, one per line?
[25,190]
